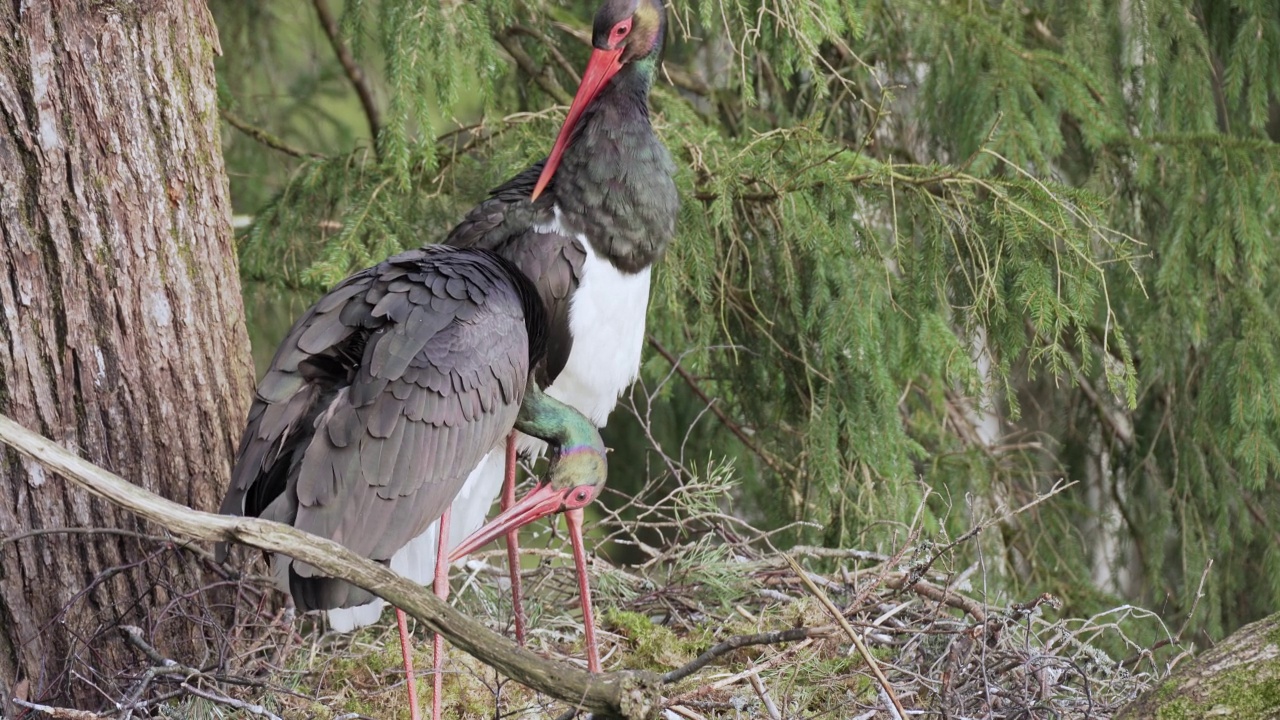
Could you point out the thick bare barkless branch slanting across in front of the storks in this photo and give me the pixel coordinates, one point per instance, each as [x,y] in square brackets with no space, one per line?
[629,695]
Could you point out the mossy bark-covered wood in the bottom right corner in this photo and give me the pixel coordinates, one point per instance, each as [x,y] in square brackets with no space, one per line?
[1240,680]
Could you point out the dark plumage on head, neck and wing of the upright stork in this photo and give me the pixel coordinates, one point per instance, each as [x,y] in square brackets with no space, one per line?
[614,189]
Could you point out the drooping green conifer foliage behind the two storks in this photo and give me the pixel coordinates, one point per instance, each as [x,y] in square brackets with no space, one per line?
[966,247]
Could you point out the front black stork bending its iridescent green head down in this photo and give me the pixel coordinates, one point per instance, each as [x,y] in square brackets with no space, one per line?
[382,400]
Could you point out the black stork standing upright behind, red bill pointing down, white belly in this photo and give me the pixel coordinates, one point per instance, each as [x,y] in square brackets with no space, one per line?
[586,225]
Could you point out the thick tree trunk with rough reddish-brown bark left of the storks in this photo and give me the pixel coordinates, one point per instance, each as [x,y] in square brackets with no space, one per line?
[124,332]
